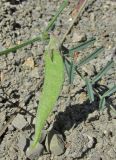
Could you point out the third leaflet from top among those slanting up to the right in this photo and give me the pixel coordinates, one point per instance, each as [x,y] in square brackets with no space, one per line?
[103,71]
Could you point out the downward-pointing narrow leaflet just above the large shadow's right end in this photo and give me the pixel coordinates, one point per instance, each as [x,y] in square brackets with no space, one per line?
[89,90]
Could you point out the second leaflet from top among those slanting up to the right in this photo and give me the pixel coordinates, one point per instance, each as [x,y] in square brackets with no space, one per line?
[88,58]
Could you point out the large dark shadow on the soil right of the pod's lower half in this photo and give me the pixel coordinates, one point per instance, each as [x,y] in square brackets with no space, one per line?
[73,116]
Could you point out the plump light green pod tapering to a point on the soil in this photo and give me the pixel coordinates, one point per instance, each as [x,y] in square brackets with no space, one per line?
[53,80]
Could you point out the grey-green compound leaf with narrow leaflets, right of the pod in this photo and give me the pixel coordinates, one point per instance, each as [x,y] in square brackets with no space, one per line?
[90,83]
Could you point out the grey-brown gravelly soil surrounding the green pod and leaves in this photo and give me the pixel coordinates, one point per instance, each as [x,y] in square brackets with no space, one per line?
[87,134]
